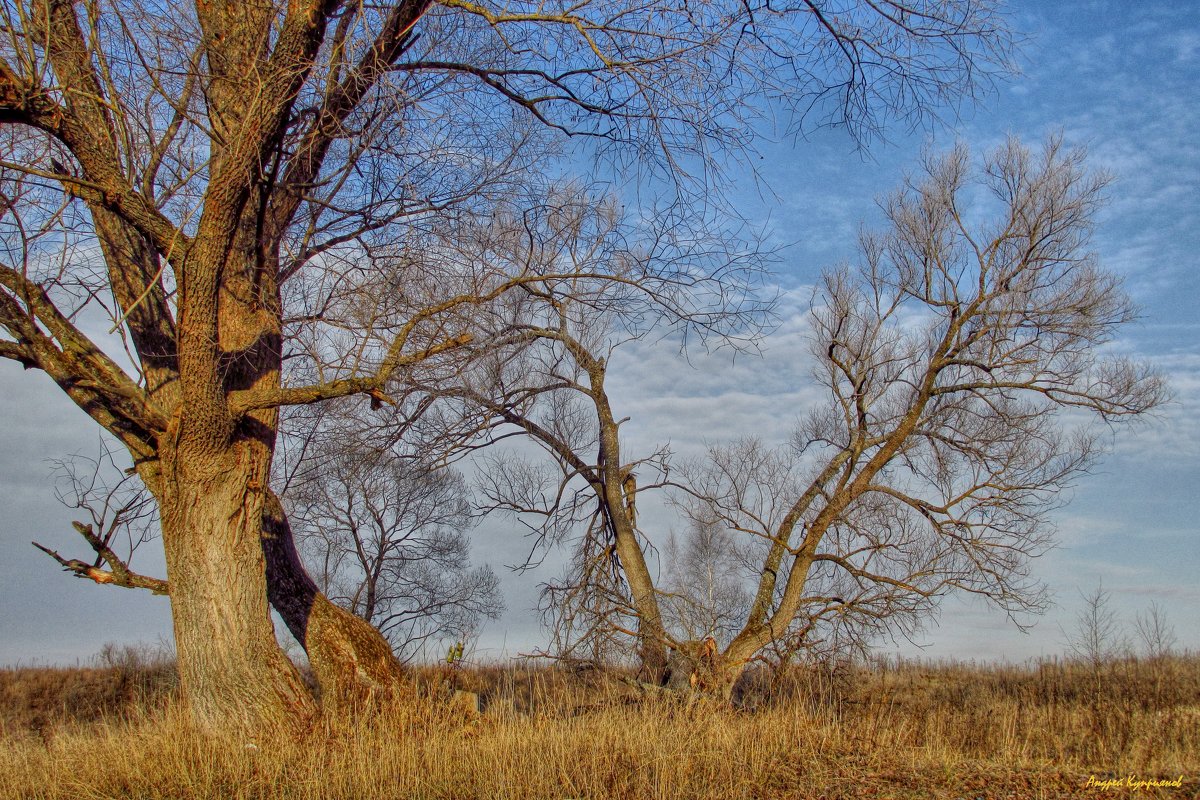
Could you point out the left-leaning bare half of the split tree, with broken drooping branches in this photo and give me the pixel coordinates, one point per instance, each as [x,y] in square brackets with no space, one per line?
[547,384]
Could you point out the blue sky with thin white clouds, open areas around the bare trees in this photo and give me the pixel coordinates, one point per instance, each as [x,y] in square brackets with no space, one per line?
[1115,77]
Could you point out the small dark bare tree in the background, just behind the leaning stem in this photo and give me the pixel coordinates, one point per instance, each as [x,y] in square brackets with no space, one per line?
[386,536]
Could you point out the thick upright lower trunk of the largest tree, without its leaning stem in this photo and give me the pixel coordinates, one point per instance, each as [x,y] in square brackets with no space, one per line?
[232,670]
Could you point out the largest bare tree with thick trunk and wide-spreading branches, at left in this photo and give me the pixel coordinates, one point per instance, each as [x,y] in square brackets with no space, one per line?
[211,173]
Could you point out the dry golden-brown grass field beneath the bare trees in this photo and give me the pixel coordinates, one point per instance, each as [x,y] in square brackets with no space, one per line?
[951,731]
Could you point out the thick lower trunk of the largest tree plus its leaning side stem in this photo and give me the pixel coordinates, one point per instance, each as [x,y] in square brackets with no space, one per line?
[227,538]
